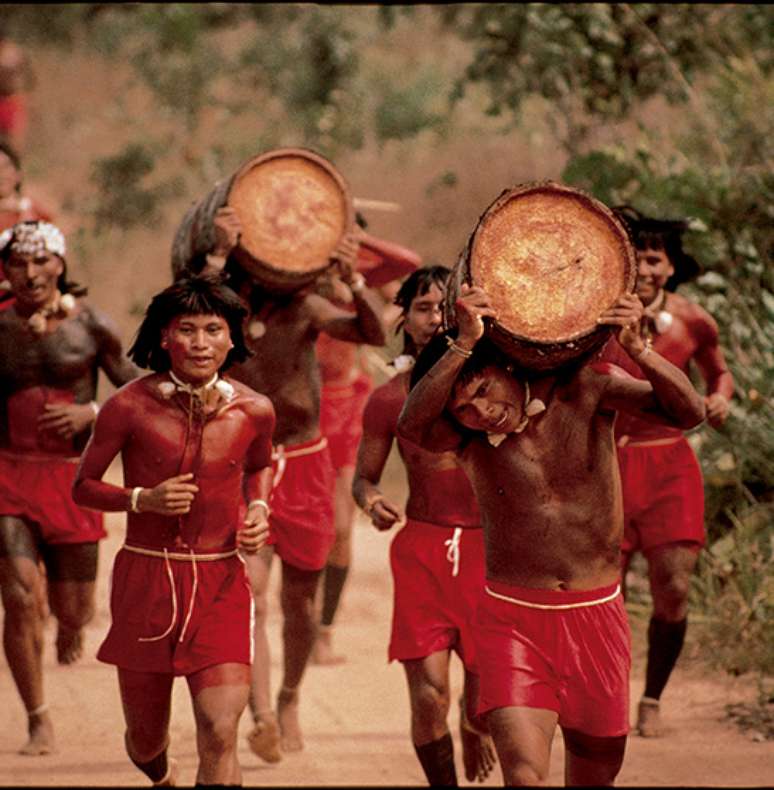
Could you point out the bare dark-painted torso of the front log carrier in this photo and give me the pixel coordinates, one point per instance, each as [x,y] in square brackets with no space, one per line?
[550,497]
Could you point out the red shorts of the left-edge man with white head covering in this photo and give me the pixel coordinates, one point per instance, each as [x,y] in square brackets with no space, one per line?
[38,488]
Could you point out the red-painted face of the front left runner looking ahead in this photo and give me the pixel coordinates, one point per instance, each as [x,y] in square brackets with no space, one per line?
[197,345]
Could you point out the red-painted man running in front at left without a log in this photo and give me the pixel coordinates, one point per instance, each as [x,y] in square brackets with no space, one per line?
[195,447]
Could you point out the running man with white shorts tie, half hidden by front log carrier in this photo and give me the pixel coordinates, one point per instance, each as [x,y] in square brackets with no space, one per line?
[437,558]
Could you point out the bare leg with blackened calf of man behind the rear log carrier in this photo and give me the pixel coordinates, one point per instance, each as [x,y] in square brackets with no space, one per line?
[337,567]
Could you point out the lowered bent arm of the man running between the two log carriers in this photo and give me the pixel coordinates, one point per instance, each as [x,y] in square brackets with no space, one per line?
[372,454]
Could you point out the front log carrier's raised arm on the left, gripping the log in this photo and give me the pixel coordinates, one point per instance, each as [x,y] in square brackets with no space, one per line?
[422,419]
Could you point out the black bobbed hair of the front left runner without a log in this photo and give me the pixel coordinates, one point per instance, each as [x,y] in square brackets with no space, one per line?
[198,295]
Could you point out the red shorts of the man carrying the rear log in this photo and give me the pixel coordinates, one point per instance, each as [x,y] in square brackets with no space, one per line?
[301,519]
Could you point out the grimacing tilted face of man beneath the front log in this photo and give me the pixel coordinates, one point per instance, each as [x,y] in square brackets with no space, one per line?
[490,401]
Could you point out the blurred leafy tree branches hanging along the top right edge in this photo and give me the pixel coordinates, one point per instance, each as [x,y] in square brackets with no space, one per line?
[598,60]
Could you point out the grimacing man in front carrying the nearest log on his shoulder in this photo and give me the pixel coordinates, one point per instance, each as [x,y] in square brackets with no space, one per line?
[552,638]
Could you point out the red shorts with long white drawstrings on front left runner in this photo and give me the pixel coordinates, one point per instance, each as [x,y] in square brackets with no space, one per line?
[178,616]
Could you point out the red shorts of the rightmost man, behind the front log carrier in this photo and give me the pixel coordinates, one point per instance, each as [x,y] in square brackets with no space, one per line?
[663,496]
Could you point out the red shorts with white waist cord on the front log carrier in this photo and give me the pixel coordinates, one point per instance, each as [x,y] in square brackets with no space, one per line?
[573,660]
